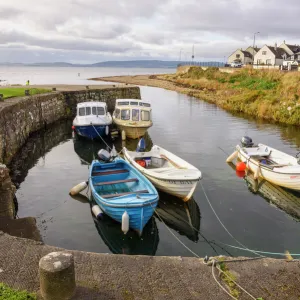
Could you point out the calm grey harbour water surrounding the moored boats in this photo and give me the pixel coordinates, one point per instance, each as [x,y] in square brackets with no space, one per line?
[53,161]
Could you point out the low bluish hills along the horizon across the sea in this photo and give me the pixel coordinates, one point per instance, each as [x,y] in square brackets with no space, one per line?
[118,64]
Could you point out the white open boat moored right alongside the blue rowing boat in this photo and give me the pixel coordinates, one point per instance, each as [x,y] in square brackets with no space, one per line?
[168,172]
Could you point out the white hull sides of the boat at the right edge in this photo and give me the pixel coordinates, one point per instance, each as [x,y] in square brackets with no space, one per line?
[290,180]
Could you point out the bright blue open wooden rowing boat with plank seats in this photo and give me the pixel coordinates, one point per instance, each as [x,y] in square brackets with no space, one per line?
[122,192]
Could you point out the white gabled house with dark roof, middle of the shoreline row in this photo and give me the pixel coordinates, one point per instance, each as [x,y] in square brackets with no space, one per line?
[272,56]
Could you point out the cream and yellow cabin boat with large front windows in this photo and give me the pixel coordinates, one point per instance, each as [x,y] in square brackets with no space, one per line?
[133,117]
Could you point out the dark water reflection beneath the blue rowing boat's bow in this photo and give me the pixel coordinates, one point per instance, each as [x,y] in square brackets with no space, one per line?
[131,243]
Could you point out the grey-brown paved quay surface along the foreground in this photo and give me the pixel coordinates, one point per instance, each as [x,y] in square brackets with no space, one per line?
[107,276]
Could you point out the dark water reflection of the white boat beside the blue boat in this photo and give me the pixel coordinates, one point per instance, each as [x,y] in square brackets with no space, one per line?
[184,217]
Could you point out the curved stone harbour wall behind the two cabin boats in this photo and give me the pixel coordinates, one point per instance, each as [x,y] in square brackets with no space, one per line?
[19,117]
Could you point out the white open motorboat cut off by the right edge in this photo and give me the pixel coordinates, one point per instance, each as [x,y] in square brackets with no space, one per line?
[273,165]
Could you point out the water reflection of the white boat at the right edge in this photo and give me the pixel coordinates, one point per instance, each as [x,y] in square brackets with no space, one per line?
[285,199]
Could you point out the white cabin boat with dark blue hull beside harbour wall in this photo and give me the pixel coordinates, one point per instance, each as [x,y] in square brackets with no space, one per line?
[92,120]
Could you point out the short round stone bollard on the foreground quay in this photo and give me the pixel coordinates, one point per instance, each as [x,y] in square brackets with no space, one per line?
[57,276]
